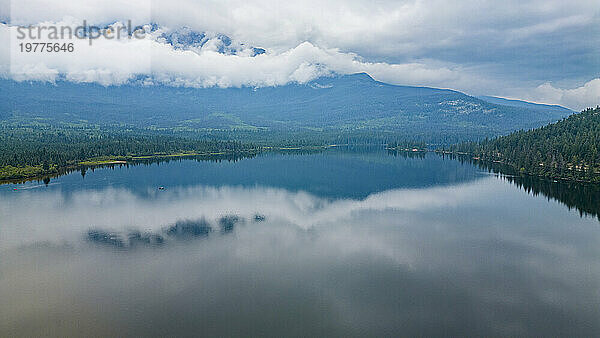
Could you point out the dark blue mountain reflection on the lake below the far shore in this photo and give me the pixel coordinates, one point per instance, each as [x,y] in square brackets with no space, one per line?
[353,172]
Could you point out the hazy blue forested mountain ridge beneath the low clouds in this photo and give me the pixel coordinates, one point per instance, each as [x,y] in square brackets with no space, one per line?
[337,104]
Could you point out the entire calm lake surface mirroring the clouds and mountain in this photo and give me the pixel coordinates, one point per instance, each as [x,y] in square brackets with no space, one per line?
[339,243]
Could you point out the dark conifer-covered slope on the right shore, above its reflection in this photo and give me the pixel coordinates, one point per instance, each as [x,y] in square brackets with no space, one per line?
[568,149]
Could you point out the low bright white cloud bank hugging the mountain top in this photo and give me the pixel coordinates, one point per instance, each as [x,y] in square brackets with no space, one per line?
[118,61]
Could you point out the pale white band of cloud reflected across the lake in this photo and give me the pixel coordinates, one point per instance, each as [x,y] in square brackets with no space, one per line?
[53,215]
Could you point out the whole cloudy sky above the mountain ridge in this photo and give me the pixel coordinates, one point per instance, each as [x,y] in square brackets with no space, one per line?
[542,51]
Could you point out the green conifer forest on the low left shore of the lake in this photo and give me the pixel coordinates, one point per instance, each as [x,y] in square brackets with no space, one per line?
[27,152]
